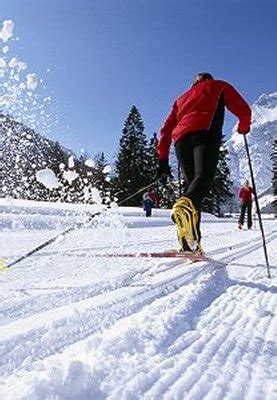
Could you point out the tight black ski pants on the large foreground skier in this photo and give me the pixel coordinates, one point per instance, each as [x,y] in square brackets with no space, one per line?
[197,153]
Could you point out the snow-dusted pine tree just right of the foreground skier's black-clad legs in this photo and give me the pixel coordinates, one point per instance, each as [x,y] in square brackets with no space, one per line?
[221,190]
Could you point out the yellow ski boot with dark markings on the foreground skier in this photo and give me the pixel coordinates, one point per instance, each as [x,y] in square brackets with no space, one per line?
[185,216]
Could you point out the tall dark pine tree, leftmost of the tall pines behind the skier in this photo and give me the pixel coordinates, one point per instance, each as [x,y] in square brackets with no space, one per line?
[131,166]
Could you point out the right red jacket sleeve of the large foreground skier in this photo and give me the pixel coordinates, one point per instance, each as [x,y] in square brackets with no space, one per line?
[238,106]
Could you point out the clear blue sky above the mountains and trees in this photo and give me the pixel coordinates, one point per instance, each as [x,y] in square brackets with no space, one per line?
[106,55]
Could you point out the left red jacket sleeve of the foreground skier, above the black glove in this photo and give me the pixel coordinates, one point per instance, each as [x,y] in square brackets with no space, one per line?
[166,133]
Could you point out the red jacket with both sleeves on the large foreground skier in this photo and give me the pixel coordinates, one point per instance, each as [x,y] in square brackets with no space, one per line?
[194,111]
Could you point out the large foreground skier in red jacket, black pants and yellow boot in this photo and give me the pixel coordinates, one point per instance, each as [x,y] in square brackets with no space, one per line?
[194,125]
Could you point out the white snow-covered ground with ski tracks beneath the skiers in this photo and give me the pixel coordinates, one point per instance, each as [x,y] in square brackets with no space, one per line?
[75,324]
